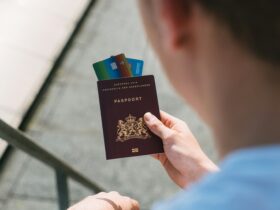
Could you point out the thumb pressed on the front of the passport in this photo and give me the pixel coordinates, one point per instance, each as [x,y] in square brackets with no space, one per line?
[156,126]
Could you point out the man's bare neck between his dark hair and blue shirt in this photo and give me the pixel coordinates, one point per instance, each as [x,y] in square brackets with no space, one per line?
[249,115]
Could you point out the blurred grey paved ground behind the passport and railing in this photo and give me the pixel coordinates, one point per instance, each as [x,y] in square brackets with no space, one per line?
[68,121]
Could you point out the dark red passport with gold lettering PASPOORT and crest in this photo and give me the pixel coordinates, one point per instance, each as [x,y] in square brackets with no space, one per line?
[123,103]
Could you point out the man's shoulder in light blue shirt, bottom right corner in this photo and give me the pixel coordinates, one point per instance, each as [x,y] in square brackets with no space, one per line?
[248,180]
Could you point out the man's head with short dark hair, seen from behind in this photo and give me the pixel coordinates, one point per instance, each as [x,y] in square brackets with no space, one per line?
[218,52]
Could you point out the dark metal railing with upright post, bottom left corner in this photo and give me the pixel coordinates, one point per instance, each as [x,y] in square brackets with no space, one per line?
[20,141]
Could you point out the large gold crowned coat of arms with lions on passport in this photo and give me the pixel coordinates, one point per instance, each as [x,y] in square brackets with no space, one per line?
[132,128]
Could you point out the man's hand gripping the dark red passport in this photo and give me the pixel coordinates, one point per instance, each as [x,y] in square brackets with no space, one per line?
[183,159]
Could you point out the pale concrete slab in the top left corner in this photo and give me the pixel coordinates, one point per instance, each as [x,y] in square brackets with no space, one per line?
[32,35]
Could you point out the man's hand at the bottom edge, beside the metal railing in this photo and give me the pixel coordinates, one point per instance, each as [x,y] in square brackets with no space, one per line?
[106,201]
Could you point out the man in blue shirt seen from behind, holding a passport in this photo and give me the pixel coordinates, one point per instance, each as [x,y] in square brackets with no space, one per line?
[223,57]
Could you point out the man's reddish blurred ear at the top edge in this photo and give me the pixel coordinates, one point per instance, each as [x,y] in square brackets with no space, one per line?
[174,16]
